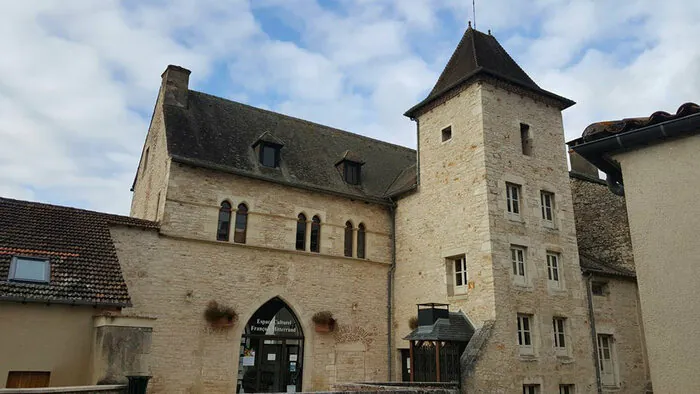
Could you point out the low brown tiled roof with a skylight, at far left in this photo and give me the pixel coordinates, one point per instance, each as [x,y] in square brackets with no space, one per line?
[84,265]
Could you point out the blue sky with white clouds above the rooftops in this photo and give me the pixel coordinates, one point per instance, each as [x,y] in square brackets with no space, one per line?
[78,79]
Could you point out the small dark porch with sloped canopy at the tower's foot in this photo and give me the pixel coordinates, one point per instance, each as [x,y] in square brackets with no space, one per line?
[438,343]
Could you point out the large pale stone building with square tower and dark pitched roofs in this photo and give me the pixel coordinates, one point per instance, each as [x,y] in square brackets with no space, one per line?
[281,220]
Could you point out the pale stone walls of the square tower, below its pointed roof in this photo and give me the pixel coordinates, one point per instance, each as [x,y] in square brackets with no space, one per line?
[460,208]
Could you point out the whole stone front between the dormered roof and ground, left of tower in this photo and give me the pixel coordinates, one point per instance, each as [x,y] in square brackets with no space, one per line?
[173,274]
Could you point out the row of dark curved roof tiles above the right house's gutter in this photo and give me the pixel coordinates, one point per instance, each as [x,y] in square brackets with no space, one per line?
[600,130]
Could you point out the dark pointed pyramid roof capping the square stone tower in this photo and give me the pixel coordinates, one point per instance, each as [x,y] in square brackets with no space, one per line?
[477,55]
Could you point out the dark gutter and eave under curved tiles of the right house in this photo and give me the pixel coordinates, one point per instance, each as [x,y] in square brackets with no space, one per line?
[599,151]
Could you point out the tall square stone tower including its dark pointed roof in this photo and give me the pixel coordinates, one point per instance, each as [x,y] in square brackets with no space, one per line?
[494,200]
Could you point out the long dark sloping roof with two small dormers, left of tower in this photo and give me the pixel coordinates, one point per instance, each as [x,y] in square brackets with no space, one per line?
[217,133]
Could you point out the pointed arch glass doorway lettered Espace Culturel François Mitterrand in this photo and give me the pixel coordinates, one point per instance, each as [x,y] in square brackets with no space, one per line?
[271,351]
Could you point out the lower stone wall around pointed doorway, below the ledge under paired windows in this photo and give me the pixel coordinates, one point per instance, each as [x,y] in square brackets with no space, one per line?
[173,279]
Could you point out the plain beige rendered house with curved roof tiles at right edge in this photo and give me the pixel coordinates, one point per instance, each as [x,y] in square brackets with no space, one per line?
[652,162]
